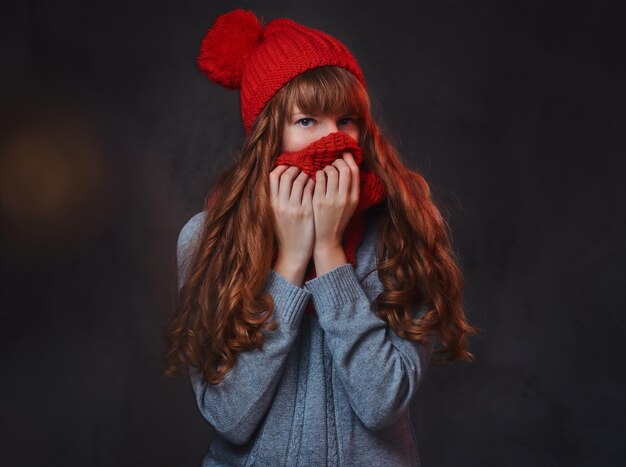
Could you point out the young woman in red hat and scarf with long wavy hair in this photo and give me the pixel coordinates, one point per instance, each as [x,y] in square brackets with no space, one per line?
[318,278]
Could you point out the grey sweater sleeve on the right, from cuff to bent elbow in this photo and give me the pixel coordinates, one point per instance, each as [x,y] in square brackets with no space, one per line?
[379,370]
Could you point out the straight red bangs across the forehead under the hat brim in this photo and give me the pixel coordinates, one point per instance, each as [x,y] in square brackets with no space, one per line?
[326,90]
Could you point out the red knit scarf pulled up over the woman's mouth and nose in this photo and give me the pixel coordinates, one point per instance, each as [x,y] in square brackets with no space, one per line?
[318,155]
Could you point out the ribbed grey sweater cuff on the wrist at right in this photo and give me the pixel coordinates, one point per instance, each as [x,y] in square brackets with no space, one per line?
[335,288]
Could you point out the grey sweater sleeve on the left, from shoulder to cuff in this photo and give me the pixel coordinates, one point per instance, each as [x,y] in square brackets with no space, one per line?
[236,405]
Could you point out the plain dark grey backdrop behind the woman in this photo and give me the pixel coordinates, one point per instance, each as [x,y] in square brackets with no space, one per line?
[514,113]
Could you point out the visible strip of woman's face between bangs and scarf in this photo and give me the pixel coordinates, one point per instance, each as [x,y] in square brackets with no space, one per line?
[303,129]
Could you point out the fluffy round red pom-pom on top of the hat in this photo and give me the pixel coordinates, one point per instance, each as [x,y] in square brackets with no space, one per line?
[227,45]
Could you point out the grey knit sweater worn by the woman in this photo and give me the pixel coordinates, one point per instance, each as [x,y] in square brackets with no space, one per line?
[327,389]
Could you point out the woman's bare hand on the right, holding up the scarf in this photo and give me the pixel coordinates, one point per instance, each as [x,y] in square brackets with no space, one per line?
[335,199]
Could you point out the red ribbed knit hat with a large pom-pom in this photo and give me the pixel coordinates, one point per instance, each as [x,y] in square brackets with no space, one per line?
[239,52]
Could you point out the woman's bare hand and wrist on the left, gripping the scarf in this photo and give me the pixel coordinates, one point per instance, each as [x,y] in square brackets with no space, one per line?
[291,192]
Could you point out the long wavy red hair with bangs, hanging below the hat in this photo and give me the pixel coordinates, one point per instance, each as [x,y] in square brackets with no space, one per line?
[222,309]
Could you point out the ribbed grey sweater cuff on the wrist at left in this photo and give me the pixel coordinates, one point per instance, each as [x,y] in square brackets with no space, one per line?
[289,299]
